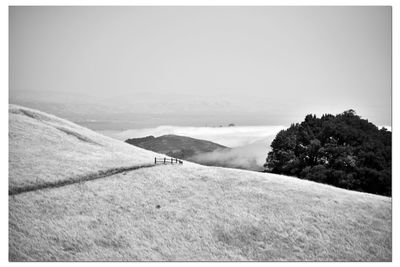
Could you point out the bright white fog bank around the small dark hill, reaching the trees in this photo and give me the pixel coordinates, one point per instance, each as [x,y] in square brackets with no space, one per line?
[248,145]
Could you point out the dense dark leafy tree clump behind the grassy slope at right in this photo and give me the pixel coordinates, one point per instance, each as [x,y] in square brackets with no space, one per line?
[343,150]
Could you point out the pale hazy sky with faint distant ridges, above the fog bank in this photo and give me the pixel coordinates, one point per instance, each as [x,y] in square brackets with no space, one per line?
[193,66]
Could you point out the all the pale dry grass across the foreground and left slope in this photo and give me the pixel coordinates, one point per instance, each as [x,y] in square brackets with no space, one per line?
[174,213]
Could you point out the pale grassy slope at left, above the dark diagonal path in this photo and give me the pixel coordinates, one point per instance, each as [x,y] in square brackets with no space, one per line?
[44,148]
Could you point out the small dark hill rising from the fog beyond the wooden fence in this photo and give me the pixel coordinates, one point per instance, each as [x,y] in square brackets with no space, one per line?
[176,146]
